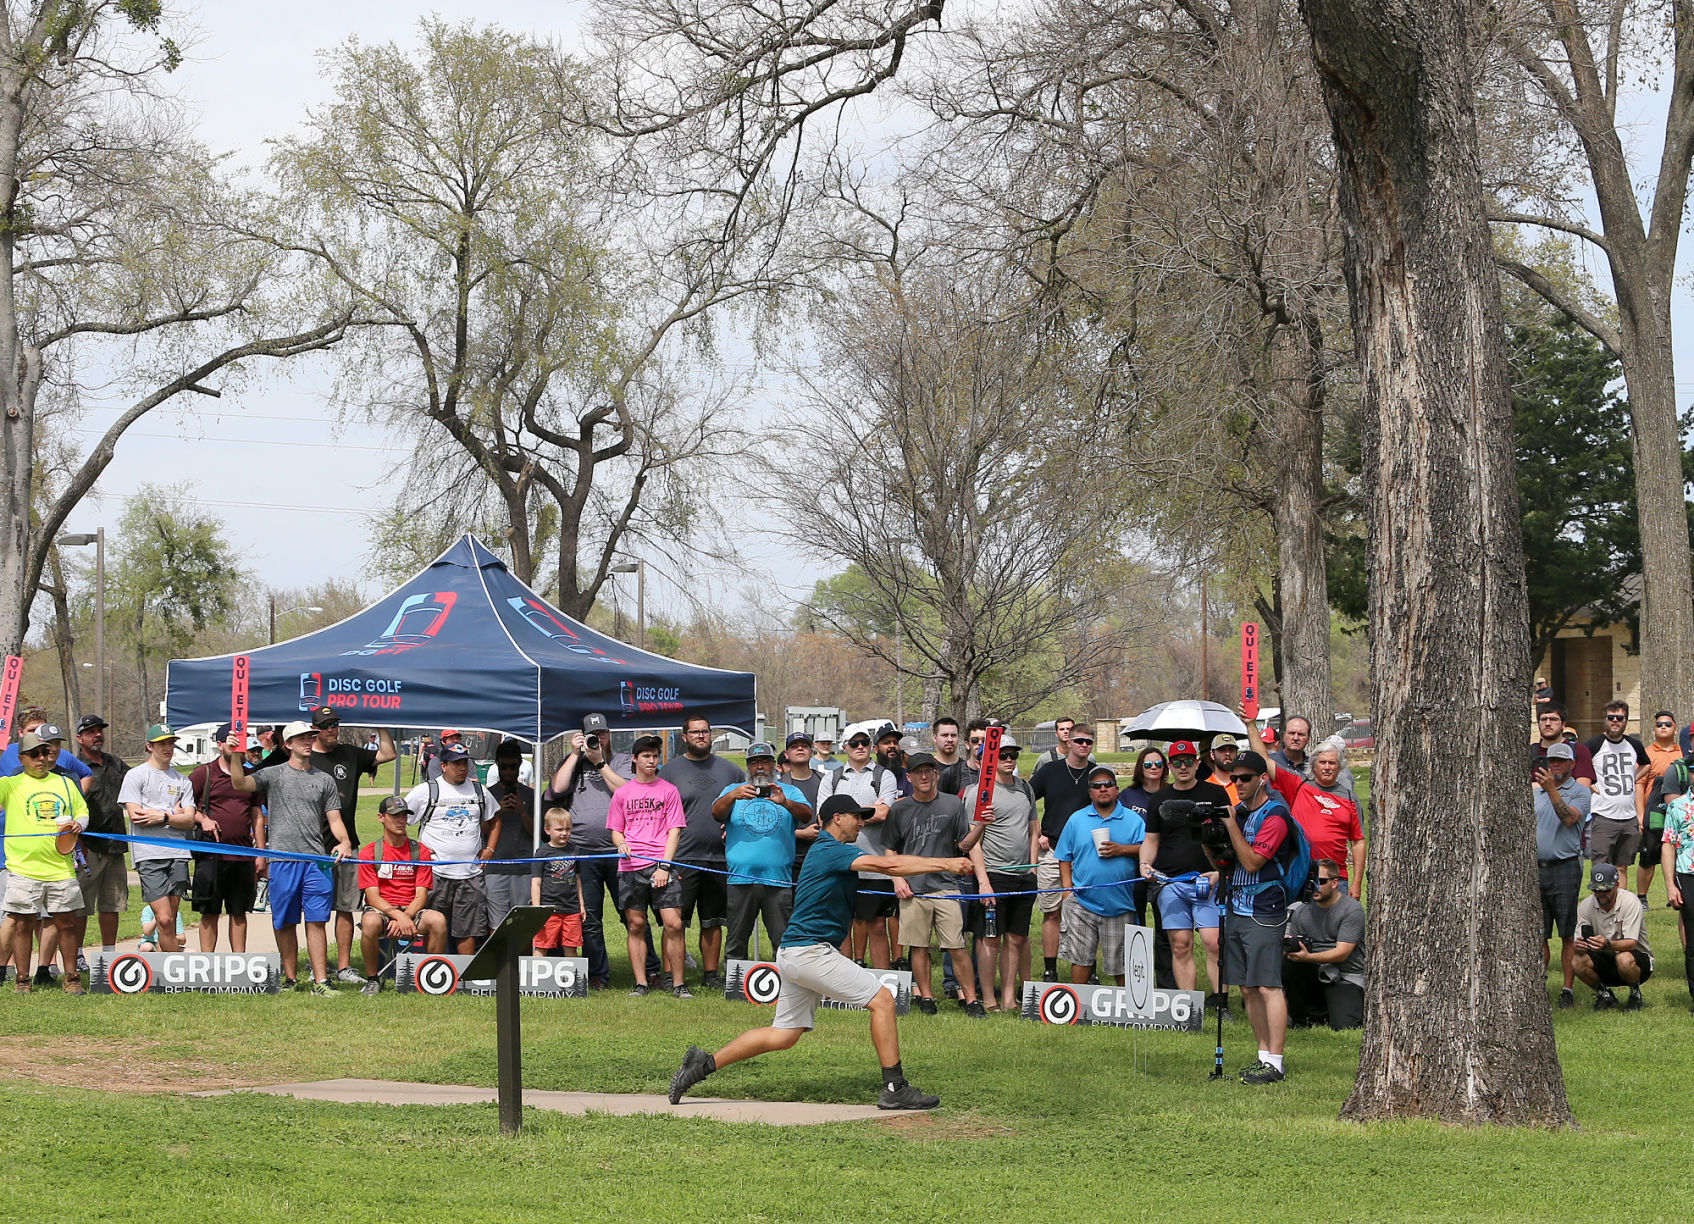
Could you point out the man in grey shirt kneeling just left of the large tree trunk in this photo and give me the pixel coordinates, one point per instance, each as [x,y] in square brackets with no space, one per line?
[1326,947]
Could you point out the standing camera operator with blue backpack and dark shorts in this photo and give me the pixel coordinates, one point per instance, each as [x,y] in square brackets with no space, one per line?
[1258,910]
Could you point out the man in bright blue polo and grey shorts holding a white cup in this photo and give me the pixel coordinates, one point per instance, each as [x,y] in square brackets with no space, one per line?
[1100,857]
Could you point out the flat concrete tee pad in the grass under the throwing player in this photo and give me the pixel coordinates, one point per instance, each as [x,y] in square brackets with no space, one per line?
[390,1093]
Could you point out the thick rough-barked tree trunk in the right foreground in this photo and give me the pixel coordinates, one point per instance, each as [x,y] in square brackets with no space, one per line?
[1458,1022]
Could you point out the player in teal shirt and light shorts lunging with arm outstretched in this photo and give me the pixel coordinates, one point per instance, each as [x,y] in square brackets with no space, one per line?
[814,968]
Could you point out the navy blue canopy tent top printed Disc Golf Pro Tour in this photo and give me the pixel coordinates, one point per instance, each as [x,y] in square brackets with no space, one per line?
[463,644]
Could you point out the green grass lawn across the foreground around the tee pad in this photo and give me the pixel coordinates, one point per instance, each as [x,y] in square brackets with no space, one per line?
[1038,1123]
